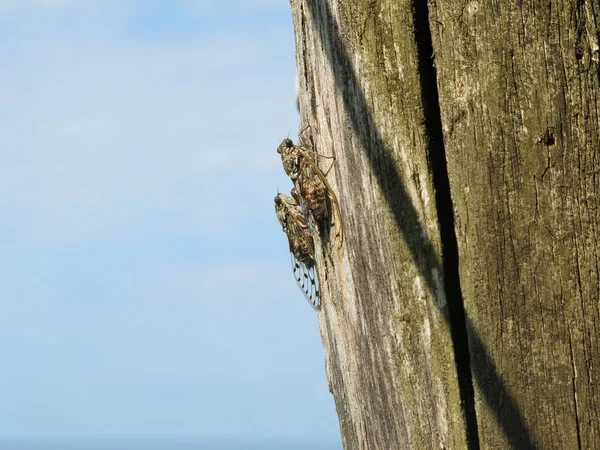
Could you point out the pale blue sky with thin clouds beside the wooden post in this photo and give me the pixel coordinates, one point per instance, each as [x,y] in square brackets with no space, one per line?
[145,282]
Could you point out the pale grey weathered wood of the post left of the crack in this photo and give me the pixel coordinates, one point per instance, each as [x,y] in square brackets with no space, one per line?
[388,347]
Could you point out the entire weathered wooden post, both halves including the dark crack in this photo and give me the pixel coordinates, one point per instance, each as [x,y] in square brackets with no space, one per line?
[470,215]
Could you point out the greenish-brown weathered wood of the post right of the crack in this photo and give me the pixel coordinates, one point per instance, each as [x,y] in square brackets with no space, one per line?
[520,99]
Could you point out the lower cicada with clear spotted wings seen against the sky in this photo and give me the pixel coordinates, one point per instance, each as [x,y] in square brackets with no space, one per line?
[302,249]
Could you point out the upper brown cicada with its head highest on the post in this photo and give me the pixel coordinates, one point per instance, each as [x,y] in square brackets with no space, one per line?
[311,188]
